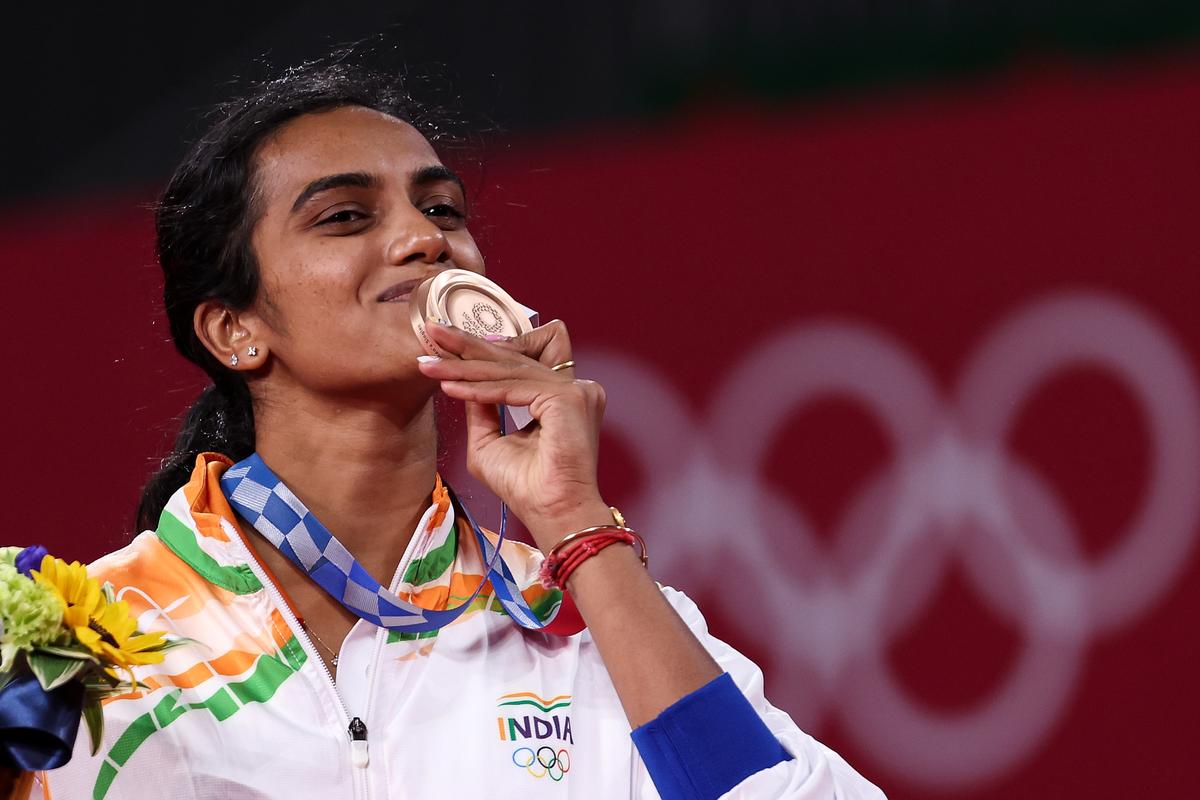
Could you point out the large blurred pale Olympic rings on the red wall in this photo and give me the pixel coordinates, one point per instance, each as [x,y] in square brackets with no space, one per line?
[832,613]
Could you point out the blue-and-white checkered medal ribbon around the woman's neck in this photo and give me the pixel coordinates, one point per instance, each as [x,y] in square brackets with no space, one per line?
[262,500]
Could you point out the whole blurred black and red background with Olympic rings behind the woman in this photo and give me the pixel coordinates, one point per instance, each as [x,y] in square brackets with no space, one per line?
[895,304]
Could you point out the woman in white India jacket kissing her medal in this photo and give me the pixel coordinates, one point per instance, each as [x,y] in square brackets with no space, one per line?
[291,239]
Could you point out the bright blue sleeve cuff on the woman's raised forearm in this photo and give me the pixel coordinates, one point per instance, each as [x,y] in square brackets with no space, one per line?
[707,743]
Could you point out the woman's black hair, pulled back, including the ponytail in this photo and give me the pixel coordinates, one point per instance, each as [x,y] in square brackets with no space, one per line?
[205,222]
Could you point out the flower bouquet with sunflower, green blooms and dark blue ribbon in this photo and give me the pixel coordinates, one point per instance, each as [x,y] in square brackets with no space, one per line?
[67,643]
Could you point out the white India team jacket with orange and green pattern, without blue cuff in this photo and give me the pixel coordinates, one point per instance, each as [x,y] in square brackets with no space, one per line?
[483,709]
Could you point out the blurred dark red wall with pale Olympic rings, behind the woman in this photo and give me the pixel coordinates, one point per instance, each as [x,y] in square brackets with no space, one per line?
[682,258]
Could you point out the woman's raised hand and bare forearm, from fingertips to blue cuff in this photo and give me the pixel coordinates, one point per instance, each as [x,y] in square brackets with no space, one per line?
[548,474]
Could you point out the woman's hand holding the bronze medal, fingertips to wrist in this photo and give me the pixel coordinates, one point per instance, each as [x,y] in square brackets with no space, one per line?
[547,473]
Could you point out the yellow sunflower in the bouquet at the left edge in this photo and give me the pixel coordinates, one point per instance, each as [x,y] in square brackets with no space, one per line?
[105,628]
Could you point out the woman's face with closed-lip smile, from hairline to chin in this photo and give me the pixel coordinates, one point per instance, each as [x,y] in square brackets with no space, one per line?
[356,210]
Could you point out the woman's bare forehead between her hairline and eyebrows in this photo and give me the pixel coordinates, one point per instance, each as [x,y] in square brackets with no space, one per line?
[351,140]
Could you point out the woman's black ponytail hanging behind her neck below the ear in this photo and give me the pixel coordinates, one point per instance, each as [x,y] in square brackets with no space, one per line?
[221,420]
